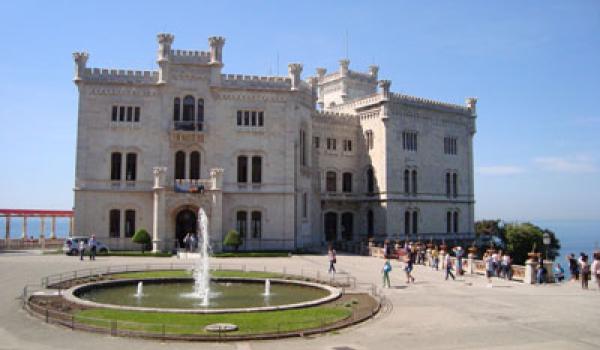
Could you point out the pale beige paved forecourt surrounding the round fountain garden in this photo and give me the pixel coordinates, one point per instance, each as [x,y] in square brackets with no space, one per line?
[430,314]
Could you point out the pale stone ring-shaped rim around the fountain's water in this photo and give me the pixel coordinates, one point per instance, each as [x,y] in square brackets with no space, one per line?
[70,295]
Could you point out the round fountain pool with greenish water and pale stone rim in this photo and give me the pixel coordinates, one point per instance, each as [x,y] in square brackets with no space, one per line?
[176,295]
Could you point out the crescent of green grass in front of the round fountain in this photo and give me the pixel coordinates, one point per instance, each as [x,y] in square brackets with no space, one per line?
[248,323]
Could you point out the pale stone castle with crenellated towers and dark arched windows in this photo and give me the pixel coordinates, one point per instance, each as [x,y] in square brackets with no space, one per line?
[288,163]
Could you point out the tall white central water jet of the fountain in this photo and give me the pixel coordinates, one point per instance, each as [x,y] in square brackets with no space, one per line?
[202,269]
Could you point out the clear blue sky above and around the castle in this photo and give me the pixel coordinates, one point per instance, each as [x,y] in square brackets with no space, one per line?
[533,65]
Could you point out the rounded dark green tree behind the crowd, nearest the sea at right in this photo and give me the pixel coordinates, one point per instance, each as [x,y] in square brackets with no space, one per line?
[520,240]
